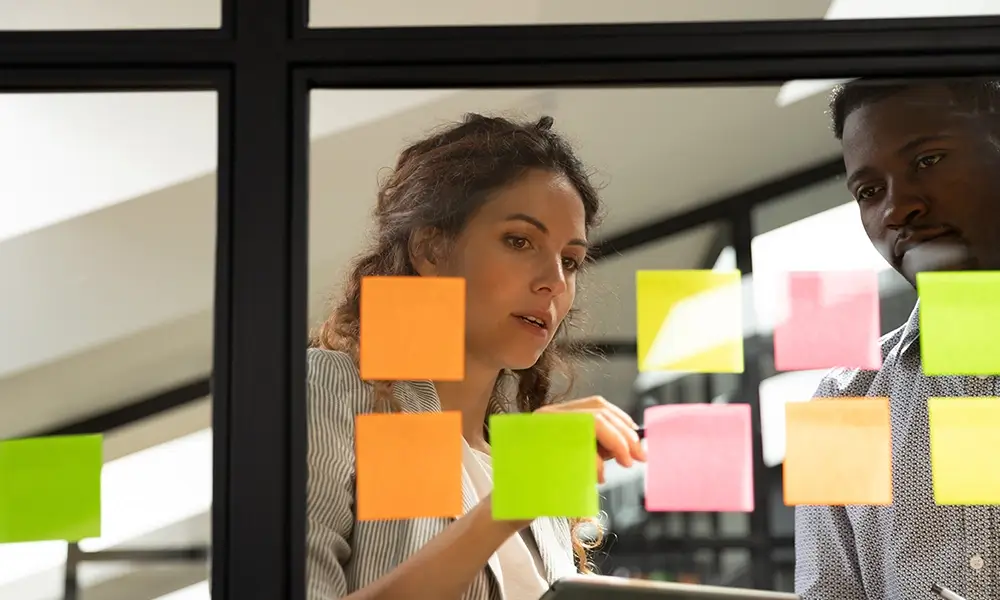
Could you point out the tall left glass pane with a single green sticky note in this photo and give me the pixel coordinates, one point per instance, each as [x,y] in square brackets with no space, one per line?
[109,255]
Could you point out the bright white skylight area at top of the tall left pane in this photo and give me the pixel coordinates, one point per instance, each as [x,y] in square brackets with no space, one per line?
[67,155]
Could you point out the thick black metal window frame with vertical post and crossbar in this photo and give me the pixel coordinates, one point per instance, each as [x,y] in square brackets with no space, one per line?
[264,60]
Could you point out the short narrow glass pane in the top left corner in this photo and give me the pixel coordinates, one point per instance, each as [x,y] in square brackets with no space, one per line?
[46,15]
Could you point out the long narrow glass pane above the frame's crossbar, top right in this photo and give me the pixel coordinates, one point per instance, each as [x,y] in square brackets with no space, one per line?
[398,13]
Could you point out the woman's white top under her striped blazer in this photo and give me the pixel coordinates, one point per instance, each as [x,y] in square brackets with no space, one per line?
[521,574]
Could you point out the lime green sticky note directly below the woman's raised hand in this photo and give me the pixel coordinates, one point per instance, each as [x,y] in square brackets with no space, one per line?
[544,465]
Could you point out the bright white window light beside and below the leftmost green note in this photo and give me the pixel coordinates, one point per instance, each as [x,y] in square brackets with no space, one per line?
[141,493]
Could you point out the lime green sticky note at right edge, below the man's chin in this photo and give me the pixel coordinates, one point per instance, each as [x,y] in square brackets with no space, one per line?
[960,322]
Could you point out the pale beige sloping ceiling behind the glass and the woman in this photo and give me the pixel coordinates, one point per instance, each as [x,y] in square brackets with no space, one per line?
[107,206]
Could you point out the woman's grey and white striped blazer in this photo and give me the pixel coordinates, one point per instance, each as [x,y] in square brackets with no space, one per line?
[343,554]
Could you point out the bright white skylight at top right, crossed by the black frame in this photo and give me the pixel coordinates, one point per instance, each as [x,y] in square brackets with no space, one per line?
[794,91]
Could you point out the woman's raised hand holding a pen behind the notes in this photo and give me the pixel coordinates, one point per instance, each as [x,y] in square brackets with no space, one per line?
[616,436]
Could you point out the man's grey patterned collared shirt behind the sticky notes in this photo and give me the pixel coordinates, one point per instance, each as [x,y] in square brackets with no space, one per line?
[897,552]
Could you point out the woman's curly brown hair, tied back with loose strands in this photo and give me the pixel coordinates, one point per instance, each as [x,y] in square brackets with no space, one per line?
[439,183]
